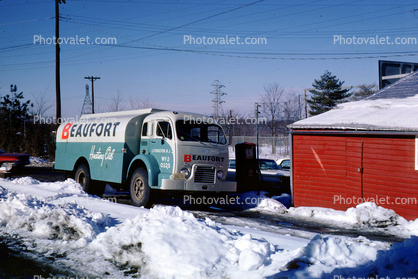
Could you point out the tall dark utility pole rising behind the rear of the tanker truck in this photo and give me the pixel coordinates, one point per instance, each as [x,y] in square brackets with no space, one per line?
[57,61]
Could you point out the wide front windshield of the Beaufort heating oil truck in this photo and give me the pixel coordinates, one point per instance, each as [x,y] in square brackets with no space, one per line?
[202,132]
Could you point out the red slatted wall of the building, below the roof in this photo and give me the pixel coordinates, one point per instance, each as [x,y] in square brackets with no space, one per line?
[326,167]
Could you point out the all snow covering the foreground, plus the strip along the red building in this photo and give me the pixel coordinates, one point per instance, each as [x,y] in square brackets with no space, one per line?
[98,238]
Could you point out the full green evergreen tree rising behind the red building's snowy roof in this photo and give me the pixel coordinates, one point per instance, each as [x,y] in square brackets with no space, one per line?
[327,94]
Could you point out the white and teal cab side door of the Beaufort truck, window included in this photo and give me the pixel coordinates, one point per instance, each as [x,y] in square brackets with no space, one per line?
[162,147]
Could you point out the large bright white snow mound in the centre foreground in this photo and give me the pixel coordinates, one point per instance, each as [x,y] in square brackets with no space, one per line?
[171,243]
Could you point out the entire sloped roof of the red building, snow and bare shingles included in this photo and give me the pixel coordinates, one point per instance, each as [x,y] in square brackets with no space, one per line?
[394,108]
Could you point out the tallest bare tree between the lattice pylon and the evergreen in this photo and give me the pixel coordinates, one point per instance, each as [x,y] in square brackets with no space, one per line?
[271,104]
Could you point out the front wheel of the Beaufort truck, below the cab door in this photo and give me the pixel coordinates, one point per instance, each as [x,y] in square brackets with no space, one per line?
[139,188]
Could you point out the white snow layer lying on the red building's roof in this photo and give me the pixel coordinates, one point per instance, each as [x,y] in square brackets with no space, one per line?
[380,114]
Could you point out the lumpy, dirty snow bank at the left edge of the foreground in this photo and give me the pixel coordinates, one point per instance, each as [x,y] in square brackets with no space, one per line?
[29,215]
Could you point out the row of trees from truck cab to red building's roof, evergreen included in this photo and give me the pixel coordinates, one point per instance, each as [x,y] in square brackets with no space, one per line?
[280,107]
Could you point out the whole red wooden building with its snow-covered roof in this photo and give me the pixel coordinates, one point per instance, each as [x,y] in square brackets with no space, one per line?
[361,151]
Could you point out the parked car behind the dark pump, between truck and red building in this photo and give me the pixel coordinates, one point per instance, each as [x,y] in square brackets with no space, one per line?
[272,178]
